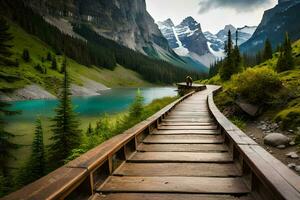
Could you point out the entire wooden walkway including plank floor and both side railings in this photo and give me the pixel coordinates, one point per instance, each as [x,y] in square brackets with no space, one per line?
[187,151]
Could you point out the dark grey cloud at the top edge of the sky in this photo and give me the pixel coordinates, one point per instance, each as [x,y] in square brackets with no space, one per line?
[238,5]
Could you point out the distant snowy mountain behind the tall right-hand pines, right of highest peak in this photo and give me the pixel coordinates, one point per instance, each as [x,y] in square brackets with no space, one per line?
[216,42]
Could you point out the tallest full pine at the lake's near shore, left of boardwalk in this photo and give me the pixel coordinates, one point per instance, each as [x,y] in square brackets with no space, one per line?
[66,134]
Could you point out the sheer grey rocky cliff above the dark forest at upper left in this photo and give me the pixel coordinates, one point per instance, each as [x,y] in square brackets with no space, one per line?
[124,21]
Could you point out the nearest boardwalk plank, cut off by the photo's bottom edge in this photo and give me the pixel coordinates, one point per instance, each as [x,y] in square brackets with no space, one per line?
[161,196]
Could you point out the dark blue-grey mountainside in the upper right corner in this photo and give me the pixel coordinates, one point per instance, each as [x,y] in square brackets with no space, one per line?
[275,23]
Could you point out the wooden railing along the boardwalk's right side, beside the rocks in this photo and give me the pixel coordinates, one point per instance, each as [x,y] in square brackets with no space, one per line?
[267,177]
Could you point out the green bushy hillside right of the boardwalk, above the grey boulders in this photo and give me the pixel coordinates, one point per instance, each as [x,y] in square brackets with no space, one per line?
[278,94]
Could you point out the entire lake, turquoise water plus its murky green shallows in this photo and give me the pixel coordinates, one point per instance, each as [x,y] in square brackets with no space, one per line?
[89,109]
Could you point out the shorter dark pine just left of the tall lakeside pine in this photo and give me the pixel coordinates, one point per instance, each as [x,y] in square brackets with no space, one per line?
[36,166]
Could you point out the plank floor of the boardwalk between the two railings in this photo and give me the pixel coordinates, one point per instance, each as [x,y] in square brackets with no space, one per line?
[184,158]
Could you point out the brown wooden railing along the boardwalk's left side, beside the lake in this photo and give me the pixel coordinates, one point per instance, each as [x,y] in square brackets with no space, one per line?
[78,178]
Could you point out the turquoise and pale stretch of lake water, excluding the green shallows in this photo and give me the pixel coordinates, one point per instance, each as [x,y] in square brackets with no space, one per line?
[110,101]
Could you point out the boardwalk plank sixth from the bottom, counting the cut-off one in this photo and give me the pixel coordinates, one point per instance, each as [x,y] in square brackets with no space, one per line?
[184,139]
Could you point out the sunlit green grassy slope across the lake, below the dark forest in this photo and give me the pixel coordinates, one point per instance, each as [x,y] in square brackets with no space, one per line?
[25,73]
